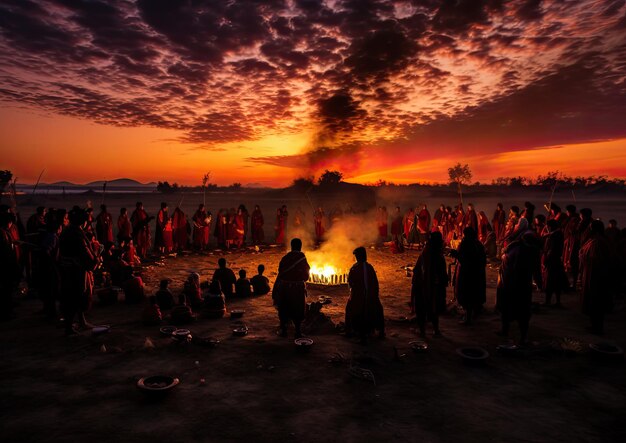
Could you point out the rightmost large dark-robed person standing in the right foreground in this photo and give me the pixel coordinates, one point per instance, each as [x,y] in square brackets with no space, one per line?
[596,276]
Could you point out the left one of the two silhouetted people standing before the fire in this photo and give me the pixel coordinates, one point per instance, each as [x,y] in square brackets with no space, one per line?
[290,288]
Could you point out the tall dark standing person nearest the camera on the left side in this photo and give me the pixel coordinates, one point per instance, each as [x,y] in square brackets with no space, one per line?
[77,263]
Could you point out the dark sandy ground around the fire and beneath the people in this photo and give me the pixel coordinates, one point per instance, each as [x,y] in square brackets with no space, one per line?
[259,388]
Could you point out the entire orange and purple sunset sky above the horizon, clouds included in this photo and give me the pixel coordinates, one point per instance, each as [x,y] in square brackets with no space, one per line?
[266,91]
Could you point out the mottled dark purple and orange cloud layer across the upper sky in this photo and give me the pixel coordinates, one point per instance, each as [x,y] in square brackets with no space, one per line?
[368,78]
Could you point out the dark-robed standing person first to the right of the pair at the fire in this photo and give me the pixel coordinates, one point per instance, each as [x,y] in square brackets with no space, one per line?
[429,283]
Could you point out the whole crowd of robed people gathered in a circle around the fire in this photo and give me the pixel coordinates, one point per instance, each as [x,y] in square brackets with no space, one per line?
[64,254]
